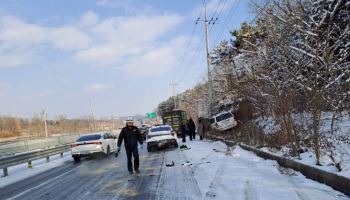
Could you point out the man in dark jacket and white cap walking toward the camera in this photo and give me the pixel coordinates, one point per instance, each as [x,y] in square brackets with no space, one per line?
[131,136]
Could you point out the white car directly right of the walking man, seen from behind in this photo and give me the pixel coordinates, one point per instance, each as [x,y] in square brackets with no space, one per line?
[160,137]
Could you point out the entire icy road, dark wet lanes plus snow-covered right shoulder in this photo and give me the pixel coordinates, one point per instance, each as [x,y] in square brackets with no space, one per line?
[209,170]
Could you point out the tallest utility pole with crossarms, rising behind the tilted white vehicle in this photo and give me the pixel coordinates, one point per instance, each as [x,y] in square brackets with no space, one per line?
[206,24]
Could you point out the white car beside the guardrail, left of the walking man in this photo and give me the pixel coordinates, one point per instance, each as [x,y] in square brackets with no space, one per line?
[94,143]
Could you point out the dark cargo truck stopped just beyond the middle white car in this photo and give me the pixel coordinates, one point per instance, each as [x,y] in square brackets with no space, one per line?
[175,119]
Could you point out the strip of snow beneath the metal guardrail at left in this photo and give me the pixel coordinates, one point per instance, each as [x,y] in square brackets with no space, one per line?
[21,172]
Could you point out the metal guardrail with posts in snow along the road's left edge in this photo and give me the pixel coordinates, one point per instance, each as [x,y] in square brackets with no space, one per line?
[31,156]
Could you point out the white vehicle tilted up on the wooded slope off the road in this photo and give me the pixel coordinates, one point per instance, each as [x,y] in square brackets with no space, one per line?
[223,121]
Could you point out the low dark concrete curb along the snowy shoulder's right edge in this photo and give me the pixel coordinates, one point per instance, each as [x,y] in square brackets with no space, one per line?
[335,181]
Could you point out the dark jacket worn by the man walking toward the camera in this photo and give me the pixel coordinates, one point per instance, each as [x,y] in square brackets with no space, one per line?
[130,137]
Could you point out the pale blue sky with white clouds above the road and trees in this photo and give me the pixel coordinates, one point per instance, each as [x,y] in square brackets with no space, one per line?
[121,54]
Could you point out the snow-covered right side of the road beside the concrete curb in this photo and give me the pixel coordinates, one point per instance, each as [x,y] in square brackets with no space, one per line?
[224,173]
